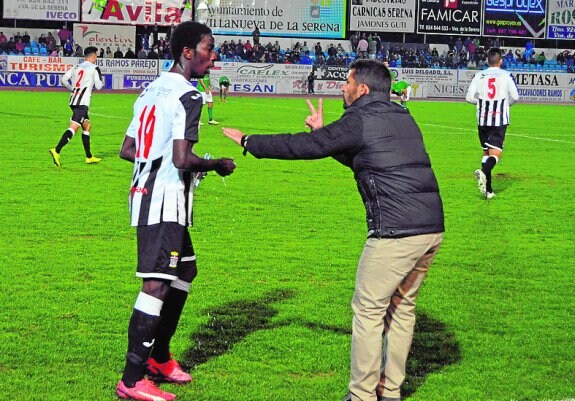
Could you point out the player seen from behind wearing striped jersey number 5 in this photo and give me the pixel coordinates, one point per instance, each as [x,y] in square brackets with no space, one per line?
[493,90]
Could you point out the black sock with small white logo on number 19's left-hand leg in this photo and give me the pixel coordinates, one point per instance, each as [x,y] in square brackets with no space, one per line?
[141,334]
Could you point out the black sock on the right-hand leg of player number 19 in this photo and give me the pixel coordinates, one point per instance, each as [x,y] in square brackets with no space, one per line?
[170,315]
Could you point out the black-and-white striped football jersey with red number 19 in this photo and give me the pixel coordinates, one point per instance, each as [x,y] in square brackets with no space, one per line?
[168,109]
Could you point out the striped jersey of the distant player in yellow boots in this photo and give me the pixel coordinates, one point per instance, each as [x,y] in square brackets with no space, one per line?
[80,80]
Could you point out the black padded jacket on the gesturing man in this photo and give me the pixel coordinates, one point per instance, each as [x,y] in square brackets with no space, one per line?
[382,144]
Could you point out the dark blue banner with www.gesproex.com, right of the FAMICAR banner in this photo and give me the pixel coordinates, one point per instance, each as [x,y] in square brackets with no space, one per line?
[514,18]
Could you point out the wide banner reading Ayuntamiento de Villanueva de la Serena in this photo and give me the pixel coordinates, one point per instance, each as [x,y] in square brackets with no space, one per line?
[296,18]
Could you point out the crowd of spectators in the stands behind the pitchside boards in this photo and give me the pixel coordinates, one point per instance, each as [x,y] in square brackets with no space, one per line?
[461,53]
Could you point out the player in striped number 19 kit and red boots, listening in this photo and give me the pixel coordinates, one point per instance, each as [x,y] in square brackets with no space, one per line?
[159,141]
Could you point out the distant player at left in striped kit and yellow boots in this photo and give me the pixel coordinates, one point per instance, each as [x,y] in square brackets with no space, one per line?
[80,80]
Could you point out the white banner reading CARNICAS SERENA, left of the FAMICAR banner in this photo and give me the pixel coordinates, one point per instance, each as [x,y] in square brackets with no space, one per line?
[382,16]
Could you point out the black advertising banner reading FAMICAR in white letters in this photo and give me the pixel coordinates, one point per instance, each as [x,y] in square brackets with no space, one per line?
[449,17]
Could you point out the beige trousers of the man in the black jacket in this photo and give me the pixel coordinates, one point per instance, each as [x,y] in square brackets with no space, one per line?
[389,275]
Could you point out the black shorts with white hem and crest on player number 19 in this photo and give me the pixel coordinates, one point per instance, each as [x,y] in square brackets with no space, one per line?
[164,251]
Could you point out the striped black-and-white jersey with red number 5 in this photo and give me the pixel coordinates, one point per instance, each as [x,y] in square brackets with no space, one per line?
[493,90]
